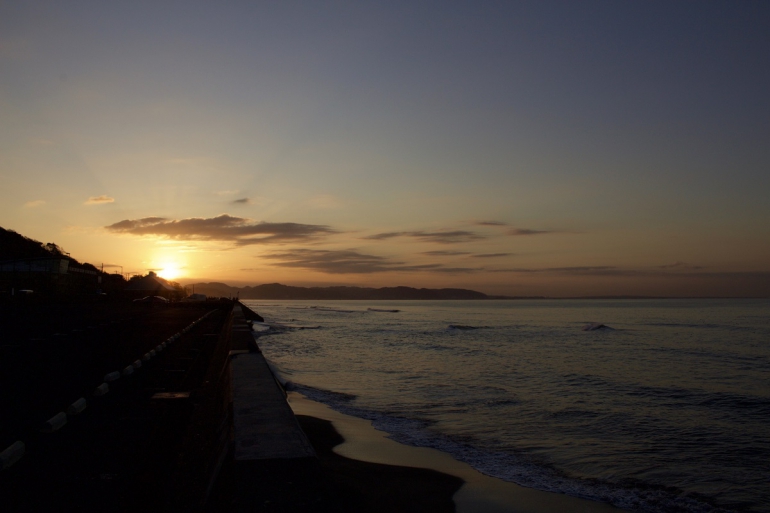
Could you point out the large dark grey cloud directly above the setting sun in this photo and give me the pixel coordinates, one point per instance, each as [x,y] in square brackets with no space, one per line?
[238,230]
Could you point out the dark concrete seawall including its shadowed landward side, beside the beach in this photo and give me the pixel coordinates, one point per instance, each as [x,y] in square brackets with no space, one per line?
[245,442]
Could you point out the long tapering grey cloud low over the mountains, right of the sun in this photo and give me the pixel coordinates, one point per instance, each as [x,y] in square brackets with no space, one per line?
[351,262]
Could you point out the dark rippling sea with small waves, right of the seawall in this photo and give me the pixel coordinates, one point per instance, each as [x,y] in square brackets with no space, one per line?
[665,409]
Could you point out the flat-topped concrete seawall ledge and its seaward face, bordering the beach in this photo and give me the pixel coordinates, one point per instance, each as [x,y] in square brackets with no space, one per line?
[271,461]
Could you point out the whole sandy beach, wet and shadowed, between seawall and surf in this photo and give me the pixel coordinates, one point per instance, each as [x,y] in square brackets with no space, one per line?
[404,478]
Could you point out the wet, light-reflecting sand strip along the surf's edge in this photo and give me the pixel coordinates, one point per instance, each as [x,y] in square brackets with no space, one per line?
[477,494]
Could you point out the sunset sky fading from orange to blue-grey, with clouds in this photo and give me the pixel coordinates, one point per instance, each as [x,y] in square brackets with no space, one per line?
[528,148]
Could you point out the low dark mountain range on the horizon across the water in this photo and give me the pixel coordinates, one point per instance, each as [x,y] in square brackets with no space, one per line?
[278,291]
